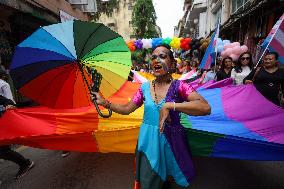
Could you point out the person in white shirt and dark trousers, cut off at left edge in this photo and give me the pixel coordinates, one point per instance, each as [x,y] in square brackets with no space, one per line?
[7,101]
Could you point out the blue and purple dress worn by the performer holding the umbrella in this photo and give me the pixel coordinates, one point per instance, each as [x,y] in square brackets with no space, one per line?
[162,155]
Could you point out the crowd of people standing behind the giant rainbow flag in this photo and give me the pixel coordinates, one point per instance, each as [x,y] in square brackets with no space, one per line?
[268,77]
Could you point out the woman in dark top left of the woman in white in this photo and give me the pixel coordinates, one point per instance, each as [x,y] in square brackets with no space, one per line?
[225,70]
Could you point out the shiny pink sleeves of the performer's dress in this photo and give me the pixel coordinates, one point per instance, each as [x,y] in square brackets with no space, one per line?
[184,90]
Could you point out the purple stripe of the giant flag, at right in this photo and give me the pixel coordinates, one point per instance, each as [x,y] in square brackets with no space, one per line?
[255,117]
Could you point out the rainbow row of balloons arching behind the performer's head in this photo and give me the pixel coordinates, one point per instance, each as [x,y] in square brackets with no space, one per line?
[175,43]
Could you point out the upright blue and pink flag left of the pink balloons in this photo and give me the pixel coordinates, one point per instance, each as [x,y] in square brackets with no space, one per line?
[210,53]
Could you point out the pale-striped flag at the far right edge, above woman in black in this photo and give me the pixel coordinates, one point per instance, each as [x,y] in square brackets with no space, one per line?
[274,42]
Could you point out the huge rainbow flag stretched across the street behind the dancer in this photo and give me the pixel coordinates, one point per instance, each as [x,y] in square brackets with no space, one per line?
[236,128]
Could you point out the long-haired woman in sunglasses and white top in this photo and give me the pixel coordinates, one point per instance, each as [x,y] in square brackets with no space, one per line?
[243,68]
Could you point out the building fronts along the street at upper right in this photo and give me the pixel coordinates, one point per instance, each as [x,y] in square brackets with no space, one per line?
[245,21]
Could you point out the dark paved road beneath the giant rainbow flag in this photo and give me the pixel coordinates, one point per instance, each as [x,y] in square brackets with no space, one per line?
[114,170]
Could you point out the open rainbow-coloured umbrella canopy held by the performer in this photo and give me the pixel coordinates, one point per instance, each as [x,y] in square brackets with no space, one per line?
[53,66]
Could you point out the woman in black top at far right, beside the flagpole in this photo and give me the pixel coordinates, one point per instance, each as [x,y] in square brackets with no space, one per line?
[269,79]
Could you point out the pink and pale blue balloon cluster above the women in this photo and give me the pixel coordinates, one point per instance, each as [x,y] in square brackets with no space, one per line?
[228,49]
